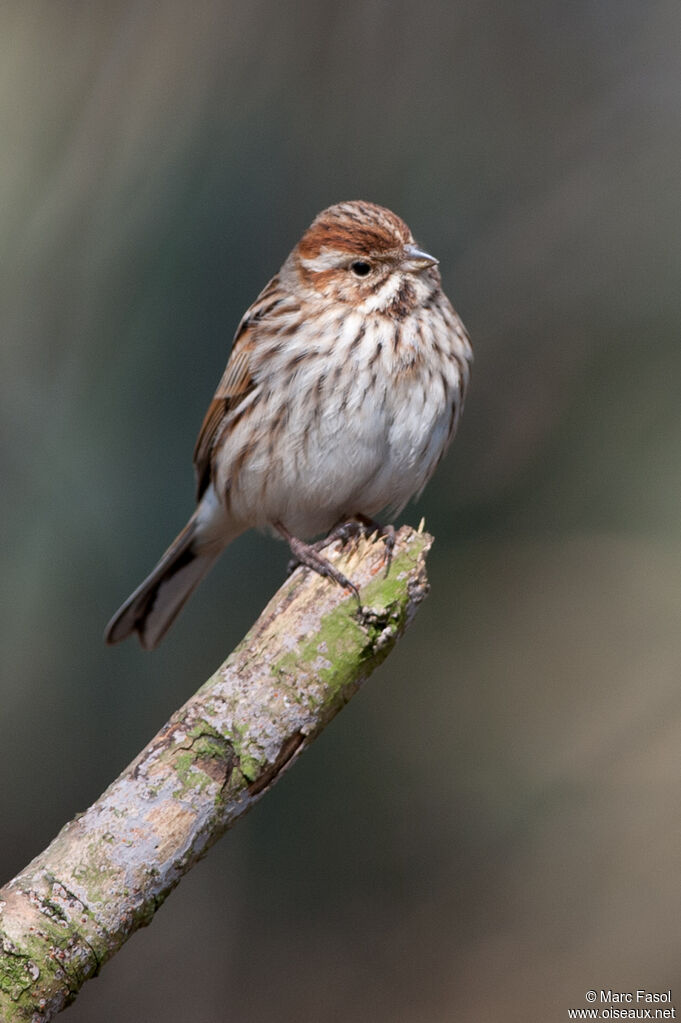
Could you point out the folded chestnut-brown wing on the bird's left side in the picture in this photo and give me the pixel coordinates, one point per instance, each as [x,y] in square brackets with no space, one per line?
[237,383]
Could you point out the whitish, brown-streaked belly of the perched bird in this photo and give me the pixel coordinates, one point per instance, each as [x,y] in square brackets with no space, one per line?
[374,444]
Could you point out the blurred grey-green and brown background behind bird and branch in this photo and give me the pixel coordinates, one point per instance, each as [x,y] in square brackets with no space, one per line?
[491,828]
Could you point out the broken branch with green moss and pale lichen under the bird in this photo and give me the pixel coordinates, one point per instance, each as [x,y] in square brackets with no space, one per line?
[109,870]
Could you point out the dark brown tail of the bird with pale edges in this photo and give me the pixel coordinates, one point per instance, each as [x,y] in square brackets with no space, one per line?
[156,604]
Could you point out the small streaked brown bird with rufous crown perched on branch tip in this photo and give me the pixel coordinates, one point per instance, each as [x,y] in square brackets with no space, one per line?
[343,391]
